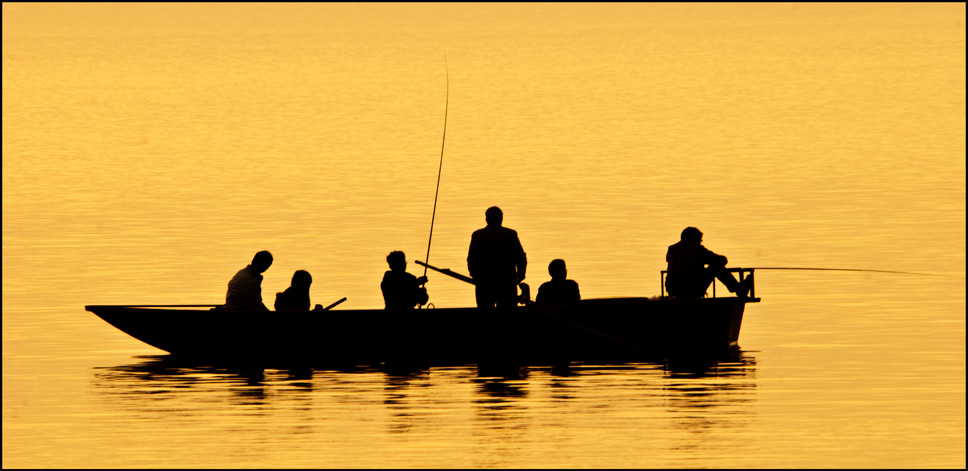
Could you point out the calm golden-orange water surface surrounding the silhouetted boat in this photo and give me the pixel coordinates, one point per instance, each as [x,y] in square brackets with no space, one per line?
[150,150]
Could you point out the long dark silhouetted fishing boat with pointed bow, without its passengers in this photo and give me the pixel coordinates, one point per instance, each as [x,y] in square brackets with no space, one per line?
[590,330]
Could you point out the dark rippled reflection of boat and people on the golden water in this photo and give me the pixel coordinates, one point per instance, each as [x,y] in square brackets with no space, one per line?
[687,395]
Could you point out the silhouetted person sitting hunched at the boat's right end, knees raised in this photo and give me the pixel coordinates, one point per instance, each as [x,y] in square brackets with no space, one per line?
[693,267]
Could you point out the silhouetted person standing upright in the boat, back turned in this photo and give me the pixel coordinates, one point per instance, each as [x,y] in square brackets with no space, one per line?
[496,261]
